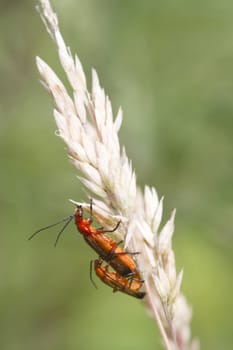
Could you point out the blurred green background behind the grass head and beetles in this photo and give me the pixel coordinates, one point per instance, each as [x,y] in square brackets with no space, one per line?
[170,65]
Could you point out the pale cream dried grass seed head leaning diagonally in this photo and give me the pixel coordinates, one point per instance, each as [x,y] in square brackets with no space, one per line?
[86,123]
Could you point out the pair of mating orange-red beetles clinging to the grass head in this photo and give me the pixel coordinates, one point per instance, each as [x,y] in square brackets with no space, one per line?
[125,277]
